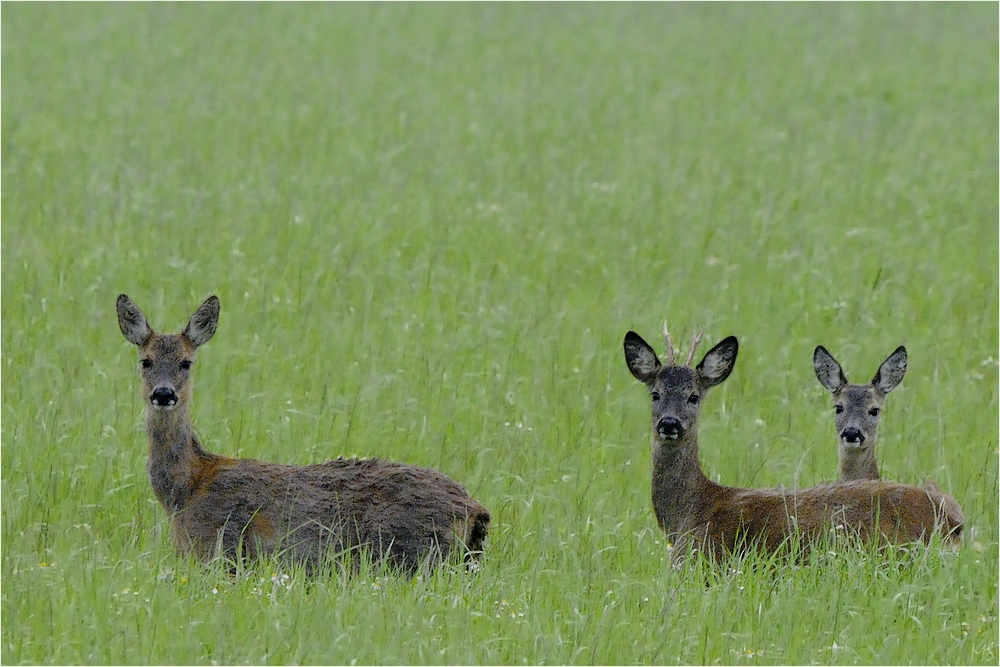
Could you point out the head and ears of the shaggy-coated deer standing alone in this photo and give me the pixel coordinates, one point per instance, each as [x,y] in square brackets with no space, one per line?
[166,359]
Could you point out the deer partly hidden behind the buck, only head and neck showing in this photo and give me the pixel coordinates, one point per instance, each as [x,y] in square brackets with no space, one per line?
[858,409]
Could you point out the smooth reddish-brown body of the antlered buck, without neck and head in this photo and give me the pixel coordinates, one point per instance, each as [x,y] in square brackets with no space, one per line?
[774,519]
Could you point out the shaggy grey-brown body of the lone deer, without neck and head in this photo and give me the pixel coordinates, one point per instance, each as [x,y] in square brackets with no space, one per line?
[402,513]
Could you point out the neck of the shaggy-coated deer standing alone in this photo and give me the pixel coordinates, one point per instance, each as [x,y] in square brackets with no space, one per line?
[174,455]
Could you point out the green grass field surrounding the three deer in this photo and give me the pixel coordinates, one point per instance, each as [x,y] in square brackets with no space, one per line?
[430,227]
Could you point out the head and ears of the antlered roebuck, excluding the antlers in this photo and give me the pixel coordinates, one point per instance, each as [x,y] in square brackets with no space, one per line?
[677,391]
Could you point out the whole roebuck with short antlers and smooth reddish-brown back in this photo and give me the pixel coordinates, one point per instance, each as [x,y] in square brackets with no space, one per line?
[697,513]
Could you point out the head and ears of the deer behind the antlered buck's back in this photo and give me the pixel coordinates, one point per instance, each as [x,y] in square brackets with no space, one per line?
[858,407]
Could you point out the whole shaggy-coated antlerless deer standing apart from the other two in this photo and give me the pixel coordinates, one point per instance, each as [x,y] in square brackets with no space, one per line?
[403,514]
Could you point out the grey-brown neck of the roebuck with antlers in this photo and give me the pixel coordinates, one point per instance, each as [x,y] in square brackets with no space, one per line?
[679,485]
